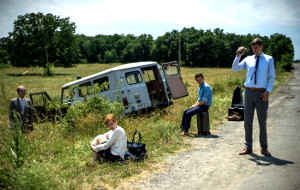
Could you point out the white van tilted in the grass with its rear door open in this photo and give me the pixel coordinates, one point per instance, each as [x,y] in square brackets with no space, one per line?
[138,86]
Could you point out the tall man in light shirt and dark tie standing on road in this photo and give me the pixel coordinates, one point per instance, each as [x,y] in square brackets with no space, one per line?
[259,83]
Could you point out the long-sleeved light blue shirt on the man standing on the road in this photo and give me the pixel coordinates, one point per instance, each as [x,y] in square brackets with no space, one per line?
[265,71]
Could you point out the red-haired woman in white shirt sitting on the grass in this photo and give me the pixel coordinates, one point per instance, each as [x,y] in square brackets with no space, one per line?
[111,146]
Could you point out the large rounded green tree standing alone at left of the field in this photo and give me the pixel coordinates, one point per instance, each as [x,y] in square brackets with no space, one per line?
[38,40]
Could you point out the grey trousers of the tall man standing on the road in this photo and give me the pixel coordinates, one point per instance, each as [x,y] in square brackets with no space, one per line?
[252,102]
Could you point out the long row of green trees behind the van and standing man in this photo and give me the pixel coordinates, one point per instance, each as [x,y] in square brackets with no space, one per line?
[210,48]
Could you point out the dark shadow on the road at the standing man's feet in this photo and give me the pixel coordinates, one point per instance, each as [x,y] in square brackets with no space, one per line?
[268,160]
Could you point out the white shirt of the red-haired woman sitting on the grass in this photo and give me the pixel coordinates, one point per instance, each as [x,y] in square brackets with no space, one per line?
[117,141]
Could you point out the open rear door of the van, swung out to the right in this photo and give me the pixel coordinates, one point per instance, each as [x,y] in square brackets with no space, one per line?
[174,79]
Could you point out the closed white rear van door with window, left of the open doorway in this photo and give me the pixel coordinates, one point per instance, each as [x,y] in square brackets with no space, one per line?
[137,92]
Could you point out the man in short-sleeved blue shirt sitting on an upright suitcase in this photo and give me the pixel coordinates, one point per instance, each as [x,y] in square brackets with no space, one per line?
[202,104]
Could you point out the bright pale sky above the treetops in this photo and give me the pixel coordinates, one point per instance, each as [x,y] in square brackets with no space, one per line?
[156,17]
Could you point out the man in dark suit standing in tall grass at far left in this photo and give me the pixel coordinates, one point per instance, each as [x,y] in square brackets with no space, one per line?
[23,108]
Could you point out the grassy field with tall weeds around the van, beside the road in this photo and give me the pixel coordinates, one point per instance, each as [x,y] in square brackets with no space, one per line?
[58,157]
